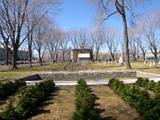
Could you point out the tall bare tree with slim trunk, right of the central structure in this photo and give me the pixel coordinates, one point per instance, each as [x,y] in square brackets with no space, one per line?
[119,7]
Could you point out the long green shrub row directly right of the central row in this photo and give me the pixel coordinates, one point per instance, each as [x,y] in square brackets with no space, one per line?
[148,108]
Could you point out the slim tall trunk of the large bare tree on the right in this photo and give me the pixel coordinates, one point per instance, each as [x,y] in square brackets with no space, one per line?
[126,41]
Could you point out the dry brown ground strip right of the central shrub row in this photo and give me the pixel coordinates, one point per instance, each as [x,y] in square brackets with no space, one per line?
[112,106]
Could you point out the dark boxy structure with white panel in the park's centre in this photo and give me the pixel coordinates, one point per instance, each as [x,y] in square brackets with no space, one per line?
[81,55]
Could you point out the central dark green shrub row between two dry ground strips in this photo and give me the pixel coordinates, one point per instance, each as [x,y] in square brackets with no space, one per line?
[85,103]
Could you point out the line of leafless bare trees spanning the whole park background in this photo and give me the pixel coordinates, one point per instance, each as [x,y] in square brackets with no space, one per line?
[28,23]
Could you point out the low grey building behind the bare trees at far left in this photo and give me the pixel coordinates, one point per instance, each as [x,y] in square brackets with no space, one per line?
[22,55]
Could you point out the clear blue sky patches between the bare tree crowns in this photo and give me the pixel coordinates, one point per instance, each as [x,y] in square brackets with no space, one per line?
[79,13]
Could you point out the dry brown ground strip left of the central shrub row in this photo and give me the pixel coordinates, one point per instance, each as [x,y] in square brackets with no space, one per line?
[59,107]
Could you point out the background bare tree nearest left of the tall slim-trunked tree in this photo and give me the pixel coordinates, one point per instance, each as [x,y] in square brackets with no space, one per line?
[112,42]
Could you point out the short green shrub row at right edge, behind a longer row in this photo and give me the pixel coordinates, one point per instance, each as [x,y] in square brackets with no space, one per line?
[148,84]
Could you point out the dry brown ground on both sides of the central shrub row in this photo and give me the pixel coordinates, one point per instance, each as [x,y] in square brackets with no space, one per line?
[61,105]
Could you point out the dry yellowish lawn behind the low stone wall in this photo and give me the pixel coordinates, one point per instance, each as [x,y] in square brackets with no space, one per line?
[25,70]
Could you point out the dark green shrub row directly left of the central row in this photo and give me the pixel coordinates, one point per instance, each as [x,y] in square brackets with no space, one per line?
[27,101]
